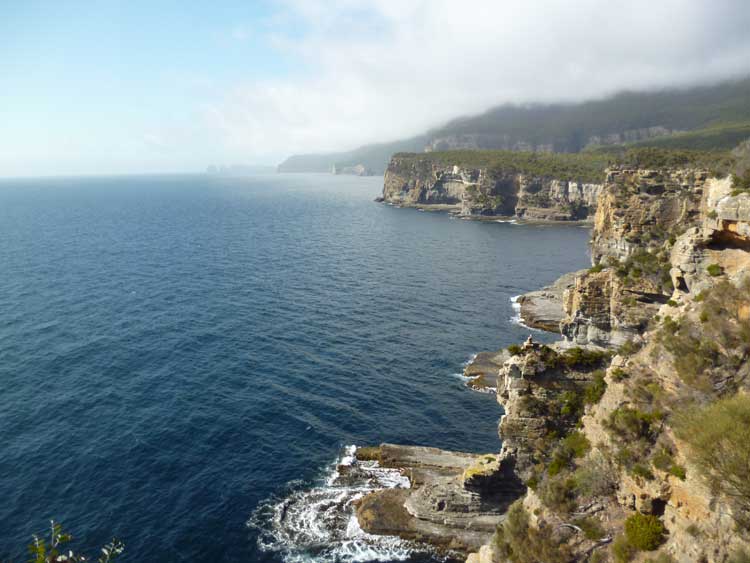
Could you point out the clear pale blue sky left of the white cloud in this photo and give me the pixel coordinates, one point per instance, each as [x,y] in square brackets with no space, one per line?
[89,78]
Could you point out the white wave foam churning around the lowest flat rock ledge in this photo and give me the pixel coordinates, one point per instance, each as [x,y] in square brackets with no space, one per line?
[319,523]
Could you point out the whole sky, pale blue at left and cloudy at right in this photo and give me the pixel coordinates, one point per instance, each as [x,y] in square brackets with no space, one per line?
[142,86]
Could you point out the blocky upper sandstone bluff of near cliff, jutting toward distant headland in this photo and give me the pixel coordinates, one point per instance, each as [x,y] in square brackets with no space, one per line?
[638,210]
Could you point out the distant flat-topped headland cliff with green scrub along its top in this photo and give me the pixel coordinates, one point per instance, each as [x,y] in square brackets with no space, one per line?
[540,187]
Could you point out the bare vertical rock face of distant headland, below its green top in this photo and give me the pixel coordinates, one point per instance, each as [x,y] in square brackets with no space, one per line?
[480,191]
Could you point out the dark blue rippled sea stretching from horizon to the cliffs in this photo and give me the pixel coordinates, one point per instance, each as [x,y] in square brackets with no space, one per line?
[182,355]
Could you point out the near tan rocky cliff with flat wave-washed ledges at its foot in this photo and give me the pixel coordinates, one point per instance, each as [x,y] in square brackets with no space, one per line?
[587,439]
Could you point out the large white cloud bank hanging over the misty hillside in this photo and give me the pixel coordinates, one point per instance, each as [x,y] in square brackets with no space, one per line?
[383,69]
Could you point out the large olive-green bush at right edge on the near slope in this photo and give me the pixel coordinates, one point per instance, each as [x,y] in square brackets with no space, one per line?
[719,439]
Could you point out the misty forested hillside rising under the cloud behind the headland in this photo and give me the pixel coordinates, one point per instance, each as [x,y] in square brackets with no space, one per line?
[708,117]
